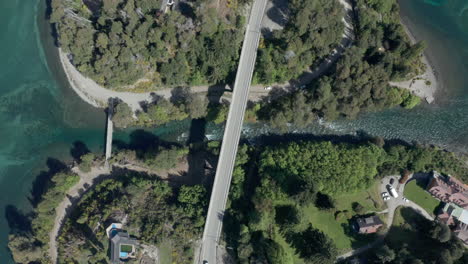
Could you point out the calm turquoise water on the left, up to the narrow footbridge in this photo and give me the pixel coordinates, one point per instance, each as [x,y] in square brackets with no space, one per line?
[40,115]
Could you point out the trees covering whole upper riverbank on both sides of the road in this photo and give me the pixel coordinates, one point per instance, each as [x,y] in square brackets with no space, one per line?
[380,55]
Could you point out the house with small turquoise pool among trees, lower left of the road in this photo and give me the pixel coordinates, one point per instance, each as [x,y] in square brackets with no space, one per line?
[123,247]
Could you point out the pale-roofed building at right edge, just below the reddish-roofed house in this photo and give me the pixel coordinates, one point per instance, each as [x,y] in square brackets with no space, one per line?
[457,217]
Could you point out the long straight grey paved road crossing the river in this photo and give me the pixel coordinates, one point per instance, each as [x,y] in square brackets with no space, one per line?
[219,194]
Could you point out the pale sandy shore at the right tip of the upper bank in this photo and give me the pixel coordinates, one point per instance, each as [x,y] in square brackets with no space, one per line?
[426,84]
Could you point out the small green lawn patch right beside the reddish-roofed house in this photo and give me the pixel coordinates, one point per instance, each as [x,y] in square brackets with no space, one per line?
[416,193]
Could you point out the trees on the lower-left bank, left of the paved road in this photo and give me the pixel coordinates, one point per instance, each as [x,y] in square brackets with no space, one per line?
[155,211]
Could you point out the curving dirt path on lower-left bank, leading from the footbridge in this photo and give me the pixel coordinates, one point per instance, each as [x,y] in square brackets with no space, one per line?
[72,196]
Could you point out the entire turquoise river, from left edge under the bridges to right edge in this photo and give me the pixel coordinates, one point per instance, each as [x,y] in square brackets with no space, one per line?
[42,118]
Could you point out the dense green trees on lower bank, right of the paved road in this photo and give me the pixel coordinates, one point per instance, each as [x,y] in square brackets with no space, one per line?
[275,187]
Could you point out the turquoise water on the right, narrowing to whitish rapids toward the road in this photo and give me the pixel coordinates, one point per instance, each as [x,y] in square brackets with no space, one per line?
[444,27]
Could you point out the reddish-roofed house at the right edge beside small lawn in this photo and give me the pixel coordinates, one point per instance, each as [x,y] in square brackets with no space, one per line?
[448,189]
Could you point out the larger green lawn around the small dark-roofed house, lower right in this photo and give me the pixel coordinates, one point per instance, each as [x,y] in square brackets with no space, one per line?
[339,230]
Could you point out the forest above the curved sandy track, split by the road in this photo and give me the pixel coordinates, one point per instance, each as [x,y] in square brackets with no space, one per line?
[133,43]
